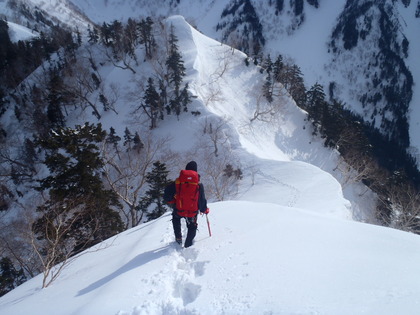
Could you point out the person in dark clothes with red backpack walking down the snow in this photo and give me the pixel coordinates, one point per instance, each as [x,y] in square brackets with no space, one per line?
[186,195]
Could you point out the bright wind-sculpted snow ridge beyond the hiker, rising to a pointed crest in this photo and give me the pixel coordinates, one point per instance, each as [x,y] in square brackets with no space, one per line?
[216,67]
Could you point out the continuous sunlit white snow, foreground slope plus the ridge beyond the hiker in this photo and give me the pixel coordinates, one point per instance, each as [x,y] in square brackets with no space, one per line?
[287,245]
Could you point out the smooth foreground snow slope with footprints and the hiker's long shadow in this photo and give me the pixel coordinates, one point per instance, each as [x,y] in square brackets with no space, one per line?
[261,259]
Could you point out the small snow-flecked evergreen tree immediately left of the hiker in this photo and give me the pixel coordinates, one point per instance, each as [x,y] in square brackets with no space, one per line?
[157,179]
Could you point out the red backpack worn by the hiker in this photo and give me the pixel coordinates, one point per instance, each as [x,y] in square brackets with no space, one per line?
[187,193]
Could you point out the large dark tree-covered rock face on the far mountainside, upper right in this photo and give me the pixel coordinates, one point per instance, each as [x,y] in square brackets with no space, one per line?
[368,36]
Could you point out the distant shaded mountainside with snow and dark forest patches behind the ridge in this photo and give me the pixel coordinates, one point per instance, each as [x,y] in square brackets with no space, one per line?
[366,50]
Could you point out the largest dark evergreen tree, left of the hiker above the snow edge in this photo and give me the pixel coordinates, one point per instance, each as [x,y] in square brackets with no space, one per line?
[78,202]
